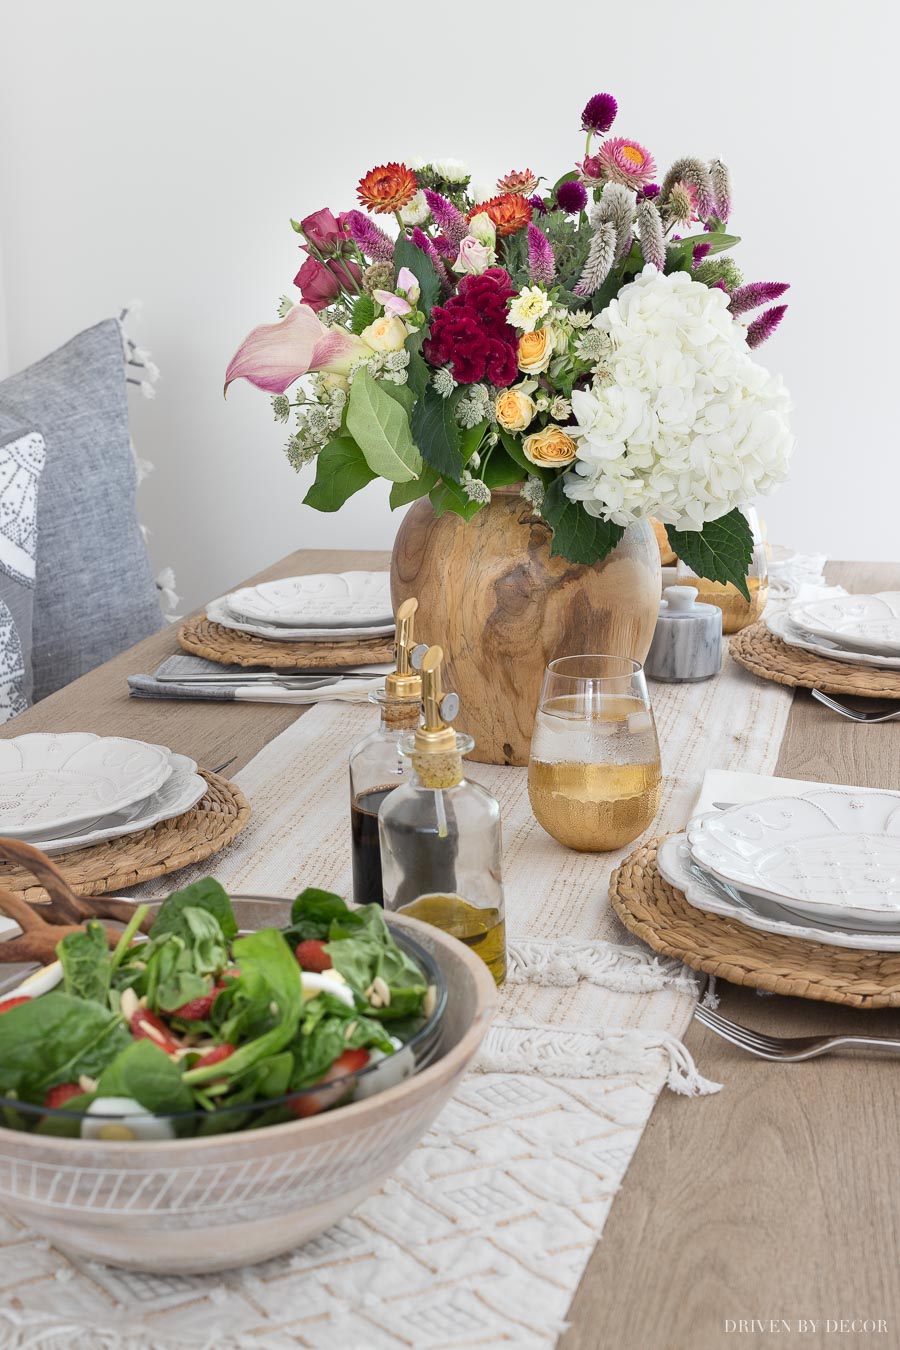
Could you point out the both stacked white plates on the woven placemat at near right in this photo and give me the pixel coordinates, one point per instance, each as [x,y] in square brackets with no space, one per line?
[824,866]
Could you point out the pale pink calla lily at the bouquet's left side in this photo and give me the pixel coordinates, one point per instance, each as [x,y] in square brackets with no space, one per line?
[276,356]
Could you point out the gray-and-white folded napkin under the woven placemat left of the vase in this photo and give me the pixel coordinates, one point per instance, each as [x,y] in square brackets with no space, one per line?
[254,692]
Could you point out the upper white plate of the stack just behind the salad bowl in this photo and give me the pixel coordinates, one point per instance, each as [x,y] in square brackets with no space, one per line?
[52,782]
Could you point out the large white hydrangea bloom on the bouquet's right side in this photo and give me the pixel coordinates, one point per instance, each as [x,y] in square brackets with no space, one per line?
[689,426]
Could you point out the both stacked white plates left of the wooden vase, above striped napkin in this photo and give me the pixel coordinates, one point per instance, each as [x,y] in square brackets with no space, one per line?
[320,608]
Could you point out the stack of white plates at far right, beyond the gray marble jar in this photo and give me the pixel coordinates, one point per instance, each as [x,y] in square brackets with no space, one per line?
[859,630]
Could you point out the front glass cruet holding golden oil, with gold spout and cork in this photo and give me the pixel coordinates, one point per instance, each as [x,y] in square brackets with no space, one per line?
[441,835]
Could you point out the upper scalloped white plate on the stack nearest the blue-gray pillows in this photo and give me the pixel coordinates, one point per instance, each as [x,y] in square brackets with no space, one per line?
[322,600]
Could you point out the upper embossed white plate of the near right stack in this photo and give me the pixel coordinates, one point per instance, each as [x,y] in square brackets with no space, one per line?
[832,854]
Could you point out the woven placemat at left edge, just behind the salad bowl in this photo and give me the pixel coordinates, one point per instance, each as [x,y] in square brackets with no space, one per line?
[206,830]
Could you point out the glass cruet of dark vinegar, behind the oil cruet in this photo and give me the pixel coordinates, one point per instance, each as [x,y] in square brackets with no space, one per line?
[377,766]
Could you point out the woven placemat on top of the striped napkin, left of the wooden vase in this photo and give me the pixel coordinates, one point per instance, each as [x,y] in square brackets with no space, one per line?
[229,647]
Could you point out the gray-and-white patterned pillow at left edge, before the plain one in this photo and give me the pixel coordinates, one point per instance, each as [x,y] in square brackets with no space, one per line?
[21,465]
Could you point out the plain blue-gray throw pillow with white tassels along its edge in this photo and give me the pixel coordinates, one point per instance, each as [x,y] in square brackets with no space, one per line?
[95,592]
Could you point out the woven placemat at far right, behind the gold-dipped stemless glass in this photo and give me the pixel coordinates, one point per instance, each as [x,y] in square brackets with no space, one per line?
[764,654]
